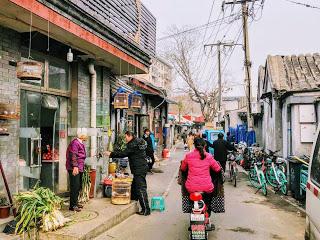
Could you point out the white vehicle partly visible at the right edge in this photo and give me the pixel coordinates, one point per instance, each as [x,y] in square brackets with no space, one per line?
[313,194]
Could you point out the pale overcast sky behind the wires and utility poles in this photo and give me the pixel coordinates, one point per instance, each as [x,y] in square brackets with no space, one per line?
[283,29]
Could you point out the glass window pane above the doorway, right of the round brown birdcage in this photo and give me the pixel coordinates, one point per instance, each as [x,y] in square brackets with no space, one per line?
[58,75]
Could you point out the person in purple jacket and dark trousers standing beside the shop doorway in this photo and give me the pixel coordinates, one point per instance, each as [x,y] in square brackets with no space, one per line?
[76,155]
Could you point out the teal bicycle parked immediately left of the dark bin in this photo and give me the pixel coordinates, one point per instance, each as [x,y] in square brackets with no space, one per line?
[275,174]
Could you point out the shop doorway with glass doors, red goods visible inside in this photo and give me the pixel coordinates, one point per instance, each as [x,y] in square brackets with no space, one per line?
[42,124]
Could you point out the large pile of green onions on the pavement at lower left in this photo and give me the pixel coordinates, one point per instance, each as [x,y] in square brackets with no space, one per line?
[38,208]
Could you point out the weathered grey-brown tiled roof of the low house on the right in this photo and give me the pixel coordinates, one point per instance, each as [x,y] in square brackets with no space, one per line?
[294,73]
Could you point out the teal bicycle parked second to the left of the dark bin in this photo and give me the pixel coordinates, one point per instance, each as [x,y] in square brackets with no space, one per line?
[257,178]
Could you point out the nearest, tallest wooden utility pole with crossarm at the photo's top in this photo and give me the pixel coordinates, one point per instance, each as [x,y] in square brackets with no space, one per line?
[247,62]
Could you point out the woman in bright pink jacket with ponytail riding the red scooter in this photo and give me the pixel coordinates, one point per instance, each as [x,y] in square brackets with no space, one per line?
[198,164]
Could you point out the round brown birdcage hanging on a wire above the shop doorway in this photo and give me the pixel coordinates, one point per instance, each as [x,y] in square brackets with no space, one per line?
[30,70]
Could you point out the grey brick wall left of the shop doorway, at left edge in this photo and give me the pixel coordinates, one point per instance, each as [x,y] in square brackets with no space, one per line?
[9,93]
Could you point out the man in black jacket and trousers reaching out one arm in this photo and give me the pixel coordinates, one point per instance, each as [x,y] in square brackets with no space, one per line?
[136,152]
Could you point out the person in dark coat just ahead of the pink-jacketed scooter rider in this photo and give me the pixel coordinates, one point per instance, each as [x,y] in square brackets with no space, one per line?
[221,148]
